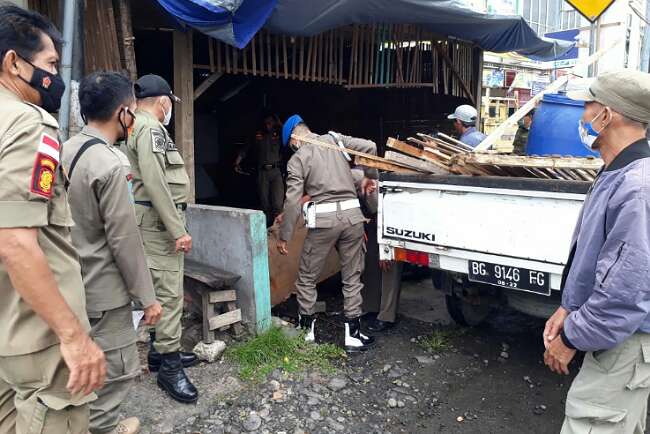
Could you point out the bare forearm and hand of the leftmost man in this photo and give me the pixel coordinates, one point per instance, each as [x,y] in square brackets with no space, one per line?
[31,276]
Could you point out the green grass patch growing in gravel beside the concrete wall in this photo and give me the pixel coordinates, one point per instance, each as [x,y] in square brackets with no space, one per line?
[271,350]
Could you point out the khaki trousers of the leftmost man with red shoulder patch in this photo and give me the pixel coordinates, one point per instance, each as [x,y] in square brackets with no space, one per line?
[34,399]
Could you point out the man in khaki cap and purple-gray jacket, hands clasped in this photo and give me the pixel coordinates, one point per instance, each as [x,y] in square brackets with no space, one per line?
[606,298]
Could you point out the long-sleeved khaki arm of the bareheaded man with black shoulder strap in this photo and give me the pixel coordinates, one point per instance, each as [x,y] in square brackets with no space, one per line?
[123,235]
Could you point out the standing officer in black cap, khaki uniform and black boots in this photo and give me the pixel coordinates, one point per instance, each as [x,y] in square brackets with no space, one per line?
[161,190]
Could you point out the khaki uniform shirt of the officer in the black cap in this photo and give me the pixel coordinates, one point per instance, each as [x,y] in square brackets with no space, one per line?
[159,174]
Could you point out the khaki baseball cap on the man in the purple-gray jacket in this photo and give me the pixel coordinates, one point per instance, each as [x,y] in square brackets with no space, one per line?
[626,91]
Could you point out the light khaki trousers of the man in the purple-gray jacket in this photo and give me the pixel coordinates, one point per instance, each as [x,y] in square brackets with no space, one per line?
[610,393]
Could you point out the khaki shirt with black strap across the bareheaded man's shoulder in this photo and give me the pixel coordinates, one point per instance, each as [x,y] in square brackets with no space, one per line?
[106,234]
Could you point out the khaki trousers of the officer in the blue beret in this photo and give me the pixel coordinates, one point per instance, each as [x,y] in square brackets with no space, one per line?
[348,241]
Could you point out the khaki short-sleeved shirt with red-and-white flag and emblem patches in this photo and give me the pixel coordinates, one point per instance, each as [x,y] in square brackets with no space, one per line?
[32,195]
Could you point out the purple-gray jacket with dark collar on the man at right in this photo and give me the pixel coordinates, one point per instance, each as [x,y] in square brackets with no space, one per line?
[607,282]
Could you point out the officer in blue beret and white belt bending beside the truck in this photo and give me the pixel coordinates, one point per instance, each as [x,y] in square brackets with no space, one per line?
[325,176]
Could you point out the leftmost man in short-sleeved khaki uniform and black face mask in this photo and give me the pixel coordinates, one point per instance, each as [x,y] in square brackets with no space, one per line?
[48,364]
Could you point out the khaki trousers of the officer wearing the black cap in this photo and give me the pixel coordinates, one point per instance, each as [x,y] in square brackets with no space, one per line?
[166,267]
